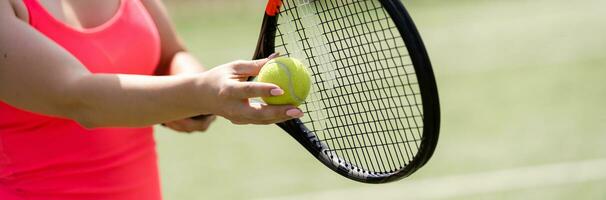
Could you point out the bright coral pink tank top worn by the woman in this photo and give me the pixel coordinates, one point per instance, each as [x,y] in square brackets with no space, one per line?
[44,157]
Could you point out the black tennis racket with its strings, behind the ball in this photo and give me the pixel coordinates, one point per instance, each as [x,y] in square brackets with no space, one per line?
[372,114]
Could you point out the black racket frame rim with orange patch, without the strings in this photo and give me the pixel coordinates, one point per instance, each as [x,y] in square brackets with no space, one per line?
[427,85]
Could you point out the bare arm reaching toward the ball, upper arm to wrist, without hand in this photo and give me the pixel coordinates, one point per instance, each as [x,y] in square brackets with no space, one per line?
[39,76]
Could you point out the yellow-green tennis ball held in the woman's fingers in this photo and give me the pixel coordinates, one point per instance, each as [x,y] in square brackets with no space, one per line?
[290,75]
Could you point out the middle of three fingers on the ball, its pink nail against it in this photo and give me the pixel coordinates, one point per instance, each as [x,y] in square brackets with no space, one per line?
[246,90]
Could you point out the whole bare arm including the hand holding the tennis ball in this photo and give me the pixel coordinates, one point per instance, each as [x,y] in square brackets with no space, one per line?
[38,75]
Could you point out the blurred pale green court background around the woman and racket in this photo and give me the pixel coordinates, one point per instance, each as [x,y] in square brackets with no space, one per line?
[521,84]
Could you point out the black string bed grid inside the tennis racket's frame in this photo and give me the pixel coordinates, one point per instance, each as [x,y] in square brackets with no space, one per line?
[365,98]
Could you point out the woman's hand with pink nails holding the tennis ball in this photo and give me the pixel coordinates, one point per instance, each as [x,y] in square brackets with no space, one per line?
[230,93]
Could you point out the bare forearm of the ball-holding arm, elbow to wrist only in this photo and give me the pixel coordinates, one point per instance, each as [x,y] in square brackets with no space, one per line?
[131,100]
